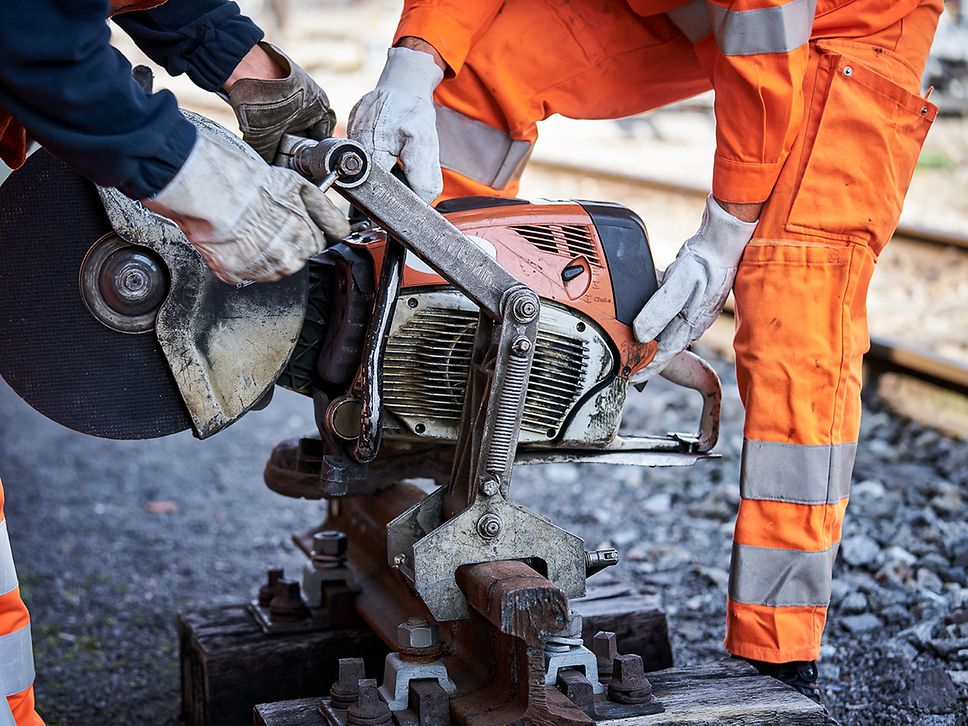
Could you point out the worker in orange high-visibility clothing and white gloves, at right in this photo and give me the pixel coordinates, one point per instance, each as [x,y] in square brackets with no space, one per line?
[819,123]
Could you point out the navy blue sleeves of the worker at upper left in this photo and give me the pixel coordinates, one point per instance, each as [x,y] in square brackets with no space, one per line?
[73,92]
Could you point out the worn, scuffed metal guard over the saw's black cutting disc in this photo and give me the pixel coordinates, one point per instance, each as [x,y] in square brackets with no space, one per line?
[225,345]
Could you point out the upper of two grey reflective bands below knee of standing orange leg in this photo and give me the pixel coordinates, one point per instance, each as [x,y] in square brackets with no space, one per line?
[794,473]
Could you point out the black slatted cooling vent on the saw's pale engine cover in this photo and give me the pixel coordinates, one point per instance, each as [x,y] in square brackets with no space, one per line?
[427,360]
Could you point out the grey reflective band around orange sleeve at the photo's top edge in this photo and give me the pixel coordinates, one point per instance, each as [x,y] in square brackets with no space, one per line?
[770,30]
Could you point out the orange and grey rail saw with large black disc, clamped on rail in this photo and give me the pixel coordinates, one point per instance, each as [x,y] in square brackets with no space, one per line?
[493,331]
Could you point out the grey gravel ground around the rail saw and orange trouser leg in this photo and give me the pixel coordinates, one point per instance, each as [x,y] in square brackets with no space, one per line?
[112,539]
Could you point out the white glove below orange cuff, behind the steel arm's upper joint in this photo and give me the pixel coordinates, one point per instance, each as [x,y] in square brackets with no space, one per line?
[397,120]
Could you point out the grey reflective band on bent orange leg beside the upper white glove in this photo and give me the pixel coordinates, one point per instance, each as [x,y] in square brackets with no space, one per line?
[478,151]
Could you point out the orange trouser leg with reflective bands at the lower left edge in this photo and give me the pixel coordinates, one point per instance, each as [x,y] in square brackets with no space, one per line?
[16,652]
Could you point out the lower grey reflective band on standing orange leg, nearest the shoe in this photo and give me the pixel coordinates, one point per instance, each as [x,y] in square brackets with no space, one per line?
[781,578]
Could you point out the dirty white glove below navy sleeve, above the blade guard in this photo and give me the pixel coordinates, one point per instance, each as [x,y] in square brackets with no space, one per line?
[251,221]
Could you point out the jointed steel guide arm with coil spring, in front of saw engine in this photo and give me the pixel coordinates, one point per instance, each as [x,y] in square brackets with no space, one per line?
[508,325]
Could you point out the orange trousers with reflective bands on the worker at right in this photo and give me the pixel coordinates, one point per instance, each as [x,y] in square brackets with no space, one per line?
[801,328]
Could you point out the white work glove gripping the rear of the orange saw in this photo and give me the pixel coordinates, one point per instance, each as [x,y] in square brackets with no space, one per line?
[694,288]
